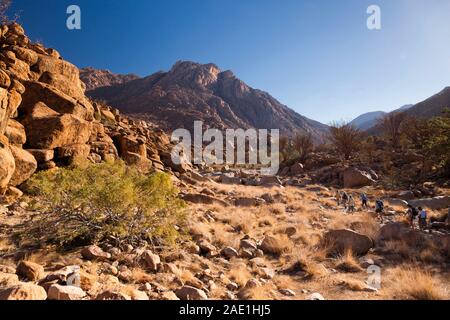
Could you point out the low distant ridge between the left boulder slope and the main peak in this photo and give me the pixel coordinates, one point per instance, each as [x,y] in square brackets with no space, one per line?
[94,79]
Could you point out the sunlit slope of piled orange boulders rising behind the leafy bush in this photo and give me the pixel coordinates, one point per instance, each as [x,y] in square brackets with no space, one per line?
[47,121]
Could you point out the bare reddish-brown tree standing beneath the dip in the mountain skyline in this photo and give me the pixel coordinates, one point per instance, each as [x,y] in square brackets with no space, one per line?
[345,138]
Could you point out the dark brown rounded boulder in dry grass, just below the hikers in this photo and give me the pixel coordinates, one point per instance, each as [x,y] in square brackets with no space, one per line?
[340,241]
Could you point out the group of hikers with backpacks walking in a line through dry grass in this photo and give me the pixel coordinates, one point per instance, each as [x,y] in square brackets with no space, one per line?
[413,213]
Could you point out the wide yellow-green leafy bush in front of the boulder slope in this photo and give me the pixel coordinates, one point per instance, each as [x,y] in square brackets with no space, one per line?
[104,201]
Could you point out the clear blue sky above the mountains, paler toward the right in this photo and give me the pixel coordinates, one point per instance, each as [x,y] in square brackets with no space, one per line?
[316,56]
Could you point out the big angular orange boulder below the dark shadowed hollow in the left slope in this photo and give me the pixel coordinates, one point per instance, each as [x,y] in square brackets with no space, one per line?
[47,129]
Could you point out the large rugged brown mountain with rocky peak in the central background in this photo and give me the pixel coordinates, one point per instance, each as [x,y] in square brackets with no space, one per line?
[192,91]
